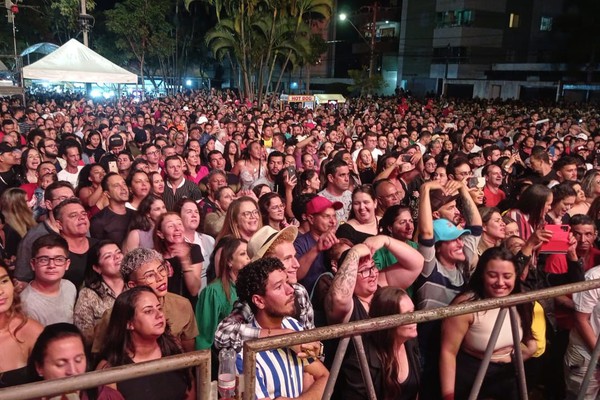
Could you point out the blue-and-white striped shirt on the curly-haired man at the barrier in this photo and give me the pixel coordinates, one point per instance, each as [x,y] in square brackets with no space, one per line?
[279,372]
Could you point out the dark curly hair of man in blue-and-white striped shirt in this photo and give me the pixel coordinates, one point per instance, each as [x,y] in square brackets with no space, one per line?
[252,279]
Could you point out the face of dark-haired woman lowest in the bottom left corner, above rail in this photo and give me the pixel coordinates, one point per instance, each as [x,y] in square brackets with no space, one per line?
[63,357]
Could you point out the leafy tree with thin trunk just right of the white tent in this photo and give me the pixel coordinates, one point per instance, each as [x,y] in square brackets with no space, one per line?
[141,27]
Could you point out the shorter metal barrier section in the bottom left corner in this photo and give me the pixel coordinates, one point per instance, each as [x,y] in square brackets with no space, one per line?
[200,359]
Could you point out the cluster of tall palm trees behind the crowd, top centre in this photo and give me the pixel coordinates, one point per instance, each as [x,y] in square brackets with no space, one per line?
[257,36]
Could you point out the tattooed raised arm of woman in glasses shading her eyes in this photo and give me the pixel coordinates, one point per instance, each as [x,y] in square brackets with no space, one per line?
[338,303]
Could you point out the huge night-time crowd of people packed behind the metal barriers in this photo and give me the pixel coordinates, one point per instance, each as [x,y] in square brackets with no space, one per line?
[136,229]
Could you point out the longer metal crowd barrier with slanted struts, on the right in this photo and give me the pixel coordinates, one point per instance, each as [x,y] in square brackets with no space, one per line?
[352,329]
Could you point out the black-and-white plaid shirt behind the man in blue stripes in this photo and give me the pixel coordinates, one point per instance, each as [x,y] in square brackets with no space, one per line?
[236,328]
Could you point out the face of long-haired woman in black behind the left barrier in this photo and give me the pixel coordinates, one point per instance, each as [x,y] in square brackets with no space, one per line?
[149,319]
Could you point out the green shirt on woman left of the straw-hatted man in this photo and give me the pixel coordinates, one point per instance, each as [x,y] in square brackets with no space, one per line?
[212,308]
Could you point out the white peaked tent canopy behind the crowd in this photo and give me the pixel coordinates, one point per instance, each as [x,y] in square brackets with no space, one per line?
[73,62]
